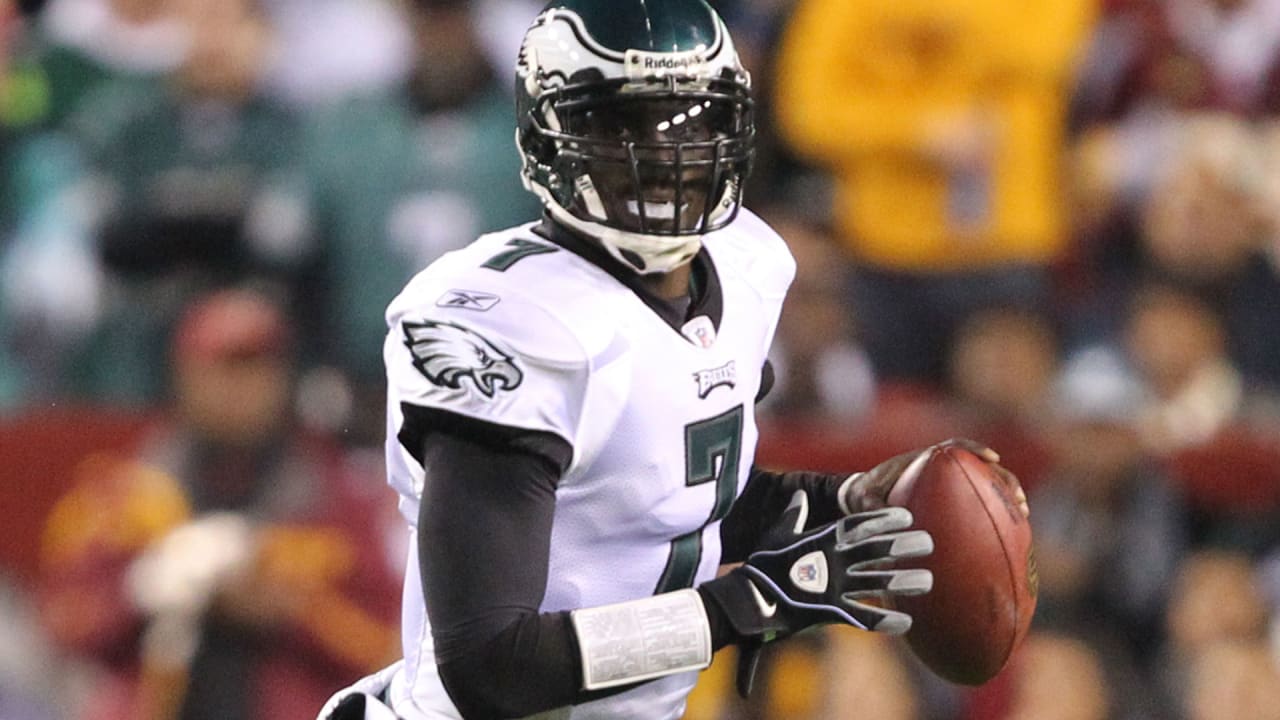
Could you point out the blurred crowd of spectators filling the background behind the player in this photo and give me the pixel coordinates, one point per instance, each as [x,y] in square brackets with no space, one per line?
[1050,226]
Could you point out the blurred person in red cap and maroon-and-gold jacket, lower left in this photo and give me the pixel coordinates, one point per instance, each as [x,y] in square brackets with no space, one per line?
[223,571]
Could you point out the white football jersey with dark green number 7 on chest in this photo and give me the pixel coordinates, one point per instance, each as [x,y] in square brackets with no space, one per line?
[518,331]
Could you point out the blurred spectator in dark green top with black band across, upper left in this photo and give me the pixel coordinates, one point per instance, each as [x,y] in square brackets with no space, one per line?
[198,186]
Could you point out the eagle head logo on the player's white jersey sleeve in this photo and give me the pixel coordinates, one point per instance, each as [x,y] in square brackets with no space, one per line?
[447,354]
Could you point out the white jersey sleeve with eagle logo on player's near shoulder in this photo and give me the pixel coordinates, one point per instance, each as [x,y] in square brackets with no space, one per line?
[469,341]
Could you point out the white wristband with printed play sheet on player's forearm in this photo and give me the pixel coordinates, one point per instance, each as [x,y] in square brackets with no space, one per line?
[642,640]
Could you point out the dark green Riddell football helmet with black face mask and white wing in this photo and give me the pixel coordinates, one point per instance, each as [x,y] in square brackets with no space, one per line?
[636,126]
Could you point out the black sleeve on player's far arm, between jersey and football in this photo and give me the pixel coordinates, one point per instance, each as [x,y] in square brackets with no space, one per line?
[764,500]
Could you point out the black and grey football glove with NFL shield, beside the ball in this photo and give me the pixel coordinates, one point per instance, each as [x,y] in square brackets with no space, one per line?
[825,576]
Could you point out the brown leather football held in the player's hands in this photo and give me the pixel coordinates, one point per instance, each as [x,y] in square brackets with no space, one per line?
[984,566]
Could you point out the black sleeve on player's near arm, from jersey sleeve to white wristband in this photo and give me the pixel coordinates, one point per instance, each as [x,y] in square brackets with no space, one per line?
[484,537]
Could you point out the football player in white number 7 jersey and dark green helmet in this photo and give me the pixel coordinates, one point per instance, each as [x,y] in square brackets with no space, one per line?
[570,408]
